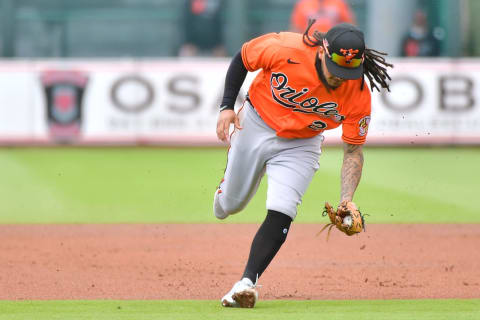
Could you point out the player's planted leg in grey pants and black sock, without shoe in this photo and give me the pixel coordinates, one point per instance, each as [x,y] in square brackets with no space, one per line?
[289,174]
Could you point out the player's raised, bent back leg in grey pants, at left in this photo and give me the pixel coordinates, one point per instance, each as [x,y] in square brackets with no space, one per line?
[245,164]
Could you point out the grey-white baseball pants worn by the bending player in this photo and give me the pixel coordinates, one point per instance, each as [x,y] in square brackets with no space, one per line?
[290,165]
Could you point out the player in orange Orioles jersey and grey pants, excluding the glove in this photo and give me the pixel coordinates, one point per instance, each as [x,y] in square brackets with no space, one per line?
[307,84]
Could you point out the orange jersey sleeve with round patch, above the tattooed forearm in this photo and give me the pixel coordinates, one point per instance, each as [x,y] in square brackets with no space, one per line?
[355,126]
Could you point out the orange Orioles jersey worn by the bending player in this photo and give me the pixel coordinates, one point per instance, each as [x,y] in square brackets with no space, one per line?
[289,96]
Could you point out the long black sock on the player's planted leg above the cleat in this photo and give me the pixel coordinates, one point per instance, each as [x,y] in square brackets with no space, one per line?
[266,243]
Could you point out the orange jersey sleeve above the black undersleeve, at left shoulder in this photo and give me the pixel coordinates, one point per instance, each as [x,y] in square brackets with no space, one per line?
[260,52]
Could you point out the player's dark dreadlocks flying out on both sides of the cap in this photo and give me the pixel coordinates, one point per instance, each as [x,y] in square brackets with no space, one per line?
[374,65]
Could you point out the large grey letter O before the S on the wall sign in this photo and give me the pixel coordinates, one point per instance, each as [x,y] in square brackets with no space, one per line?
[132,94]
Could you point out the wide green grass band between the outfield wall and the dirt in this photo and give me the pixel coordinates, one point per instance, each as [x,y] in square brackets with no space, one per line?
[116,185]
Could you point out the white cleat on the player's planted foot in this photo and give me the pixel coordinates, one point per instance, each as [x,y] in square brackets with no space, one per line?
[242,295]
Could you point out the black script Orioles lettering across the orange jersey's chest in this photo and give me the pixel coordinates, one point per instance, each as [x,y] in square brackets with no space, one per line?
[286,96]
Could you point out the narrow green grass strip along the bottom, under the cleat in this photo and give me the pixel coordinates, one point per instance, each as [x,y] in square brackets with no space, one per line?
[278,310]
